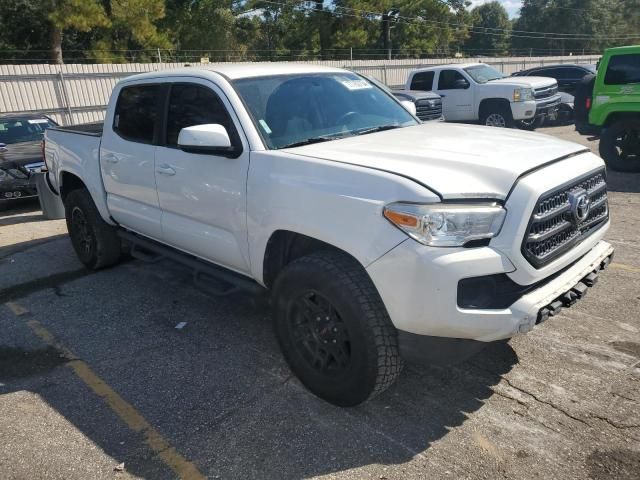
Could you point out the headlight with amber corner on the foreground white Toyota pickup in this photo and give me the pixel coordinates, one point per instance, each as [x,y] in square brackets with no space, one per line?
[446,225]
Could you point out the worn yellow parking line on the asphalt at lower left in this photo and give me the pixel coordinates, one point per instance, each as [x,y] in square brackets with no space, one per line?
[125,411]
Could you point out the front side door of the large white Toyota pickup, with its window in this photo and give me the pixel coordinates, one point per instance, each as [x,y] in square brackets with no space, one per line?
[203,196]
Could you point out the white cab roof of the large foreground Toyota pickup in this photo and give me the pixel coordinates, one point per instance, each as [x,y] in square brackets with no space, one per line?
[235,71]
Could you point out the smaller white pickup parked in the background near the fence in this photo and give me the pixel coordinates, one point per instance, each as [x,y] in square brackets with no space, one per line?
[478,92]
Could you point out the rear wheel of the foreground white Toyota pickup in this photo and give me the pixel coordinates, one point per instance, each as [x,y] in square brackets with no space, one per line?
[95,242]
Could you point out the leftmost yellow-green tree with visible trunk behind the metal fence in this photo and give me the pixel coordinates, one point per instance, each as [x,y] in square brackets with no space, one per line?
[64,15]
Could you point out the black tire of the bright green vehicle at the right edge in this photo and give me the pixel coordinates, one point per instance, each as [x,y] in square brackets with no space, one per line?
[620,146]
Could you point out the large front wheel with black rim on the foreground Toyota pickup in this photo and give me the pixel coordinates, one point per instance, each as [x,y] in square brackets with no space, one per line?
[334,330]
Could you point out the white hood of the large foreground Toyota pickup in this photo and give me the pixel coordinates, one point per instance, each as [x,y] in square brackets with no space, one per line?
[453,160]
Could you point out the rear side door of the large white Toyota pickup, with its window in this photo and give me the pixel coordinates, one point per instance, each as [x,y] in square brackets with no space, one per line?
[127,156]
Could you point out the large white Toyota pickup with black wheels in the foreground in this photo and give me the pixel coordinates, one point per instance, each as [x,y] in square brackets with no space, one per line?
[378,237]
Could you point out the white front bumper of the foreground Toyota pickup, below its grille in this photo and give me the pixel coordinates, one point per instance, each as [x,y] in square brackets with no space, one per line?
[419,287]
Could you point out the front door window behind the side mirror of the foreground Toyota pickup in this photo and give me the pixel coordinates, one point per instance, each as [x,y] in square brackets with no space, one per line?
[190,105]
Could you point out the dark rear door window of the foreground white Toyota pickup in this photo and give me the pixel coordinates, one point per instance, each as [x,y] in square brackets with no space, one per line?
[137,113]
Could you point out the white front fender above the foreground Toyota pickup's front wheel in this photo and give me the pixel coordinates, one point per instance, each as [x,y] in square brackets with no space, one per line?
[336,203]
